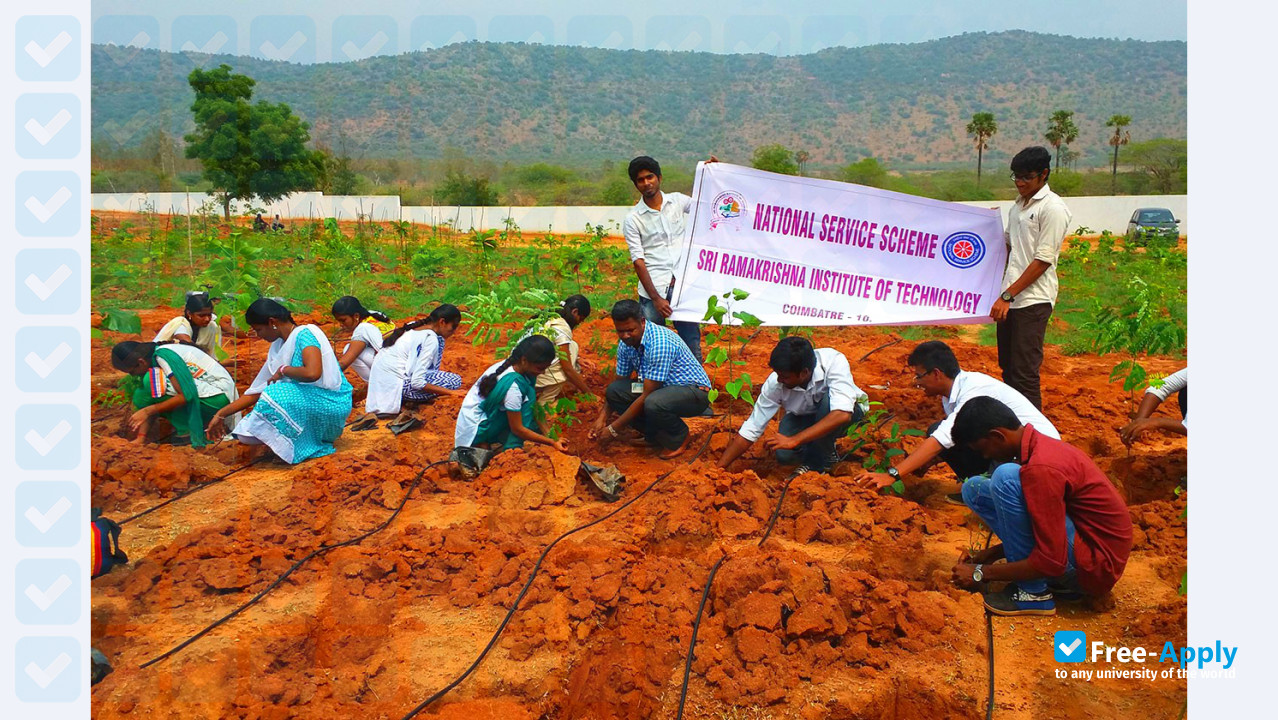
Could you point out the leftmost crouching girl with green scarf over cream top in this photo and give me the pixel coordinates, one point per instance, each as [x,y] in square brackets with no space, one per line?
[182,384]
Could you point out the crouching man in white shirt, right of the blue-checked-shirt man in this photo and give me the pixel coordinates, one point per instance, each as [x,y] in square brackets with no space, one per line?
[816,391]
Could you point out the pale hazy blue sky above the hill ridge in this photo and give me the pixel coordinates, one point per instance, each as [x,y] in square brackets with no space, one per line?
[328,31]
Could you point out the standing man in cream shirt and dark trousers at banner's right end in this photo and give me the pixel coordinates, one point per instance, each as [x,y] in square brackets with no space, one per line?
[1036,228]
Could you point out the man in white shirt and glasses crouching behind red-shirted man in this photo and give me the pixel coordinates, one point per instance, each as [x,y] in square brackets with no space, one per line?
[936,370]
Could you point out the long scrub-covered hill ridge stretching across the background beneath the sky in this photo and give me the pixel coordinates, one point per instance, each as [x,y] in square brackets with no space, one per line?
[904,104]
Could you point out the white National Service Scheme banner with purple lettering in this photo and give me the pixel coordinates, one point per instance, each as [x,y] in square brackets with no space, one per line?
[820,253]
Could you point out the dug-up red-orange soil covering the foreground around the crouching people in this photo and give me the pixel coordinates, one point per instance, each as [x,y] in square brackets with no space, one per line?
[847,612]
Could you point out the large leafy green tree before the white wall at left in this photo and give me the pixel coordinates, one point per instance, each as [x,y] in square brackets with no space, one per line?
[247,150]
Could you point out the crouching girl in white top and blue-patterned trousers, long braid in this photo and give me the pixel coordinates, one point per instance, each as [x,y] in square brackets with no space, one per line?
[408,370]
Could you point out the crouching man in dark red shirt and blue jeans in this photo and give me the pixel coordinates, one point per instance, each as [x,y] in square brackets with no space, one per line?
[1064,529]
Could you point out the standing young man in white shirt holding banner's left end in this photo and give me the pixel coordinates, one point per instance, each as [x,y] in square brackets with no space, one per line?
[655,235]
